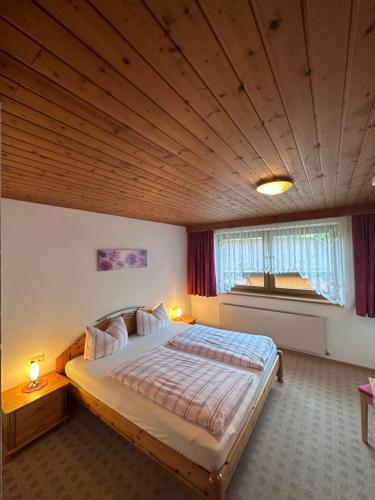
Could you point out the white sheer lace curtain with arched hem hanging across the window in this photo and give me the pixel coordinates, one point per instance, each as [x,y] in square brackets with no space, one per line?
[320,251]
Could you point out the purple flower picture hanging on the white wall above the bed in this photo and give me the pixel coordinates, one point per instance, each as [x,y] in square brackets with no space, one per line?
[111,260]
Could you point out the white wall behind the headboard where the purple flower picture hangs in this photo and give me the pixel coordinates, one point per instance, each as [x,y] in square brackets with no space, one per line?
[51,288]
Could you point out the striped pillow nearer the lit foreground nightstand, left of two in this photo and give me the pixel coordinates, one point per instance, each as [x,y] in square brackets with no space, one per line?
[99,344]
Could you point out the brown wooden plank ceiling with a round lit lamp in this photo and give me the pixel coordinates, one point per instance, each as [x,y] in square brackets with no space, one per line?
[173,110]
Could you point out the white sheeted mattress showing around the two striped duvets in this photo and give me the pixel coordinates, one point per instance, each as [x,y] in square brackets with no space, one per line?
[191,440]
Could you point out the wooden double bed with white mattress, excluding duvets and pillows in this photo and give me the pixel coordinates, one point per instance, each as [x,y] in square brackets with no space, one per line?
[192,453]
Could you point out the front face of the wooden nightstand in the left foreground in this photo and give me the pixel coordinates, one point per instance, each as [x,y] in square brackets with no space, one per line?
[39,416]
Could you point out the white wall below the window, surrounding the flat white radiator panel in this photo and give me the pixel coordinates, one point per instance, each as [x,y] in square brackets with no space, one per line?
[350,338]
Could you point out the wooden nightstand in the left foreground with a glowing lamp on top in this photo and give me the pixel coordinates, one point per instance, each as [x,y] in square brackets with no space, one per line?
[28,416]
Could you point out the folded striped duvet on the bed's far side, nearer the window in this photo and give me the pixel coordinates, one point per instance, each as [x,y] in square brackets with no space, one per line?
[239,349]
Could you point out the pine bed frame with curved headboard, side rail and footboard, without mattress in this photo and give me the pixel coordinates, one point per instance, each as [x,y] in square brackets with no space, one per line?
[212,484]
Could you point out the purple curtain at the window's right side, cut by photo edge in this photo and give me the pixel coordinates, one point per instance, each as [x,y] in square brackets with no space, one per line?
[364,264]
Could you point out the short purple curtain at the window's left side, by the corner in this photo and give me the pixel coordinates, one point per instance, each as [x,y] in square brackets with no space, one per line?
[201,279]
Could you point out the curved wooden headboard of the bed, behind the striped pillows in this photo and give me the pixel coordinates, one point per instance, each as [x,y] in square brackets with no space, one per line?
[77,348]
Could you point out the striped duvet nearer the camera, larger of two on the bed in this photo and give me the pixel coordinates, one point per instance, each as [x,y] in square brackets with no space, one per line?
[204,392]
